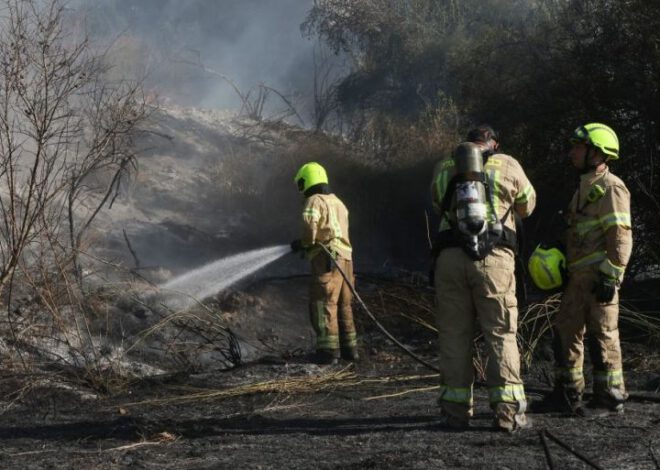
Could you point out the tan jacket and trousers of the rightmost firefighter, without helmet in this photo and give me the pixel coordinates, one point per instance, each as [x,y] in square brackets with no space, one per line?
[598,242]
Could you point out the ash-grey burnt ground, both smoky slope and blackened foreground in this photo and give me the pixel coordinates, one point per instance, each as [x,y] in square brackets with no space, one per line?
[228,383]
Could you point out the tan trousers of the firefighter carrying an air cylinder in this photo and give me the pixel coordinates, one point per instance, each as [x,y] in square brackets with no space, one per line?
[470,293]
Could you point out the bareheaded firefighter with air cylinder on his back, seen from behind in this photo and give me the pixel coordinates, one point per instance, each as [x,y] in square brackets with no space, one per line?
[476,192]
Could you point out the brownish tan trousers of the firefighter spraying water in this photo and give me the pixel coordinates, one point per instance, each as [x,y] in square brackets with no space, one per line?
[330,304]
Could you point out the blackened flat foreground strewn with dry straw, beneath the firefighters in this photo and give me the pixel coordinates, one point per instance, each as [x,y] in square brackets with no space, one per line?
[379,413]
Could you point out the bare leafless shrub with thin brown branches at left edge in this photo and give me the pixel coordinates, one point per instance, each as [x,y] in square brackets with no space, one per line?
[66,144]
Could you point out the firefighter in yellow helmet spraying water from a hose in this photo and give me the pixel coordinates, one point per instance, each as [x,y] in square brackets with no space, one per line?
[325,222]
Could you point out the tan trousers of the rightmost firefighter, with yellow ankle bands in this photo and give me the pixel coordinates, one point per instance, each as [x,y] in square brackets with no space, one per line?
[580,313]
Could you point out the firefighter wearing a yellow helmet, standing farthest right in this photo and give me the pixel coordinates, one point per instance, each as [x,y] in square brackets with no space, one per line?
[598,247]
